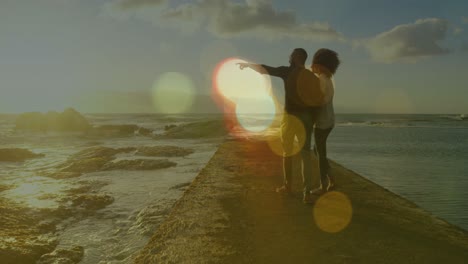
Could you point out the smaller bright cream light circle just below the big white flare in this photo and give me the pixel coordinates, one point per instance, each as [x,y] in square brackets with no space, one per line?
[256,114]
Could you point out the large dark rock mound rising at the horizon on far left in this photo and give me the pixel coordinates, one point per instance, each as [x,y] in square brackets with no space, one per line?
[68,121]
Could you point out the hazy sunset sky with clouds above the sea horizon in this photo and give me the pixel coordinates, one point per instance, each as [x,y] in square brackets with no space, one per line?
[105,56]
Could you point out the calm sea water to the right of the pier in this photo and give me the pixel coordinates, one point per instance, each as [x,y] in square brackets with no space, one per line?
[423,158]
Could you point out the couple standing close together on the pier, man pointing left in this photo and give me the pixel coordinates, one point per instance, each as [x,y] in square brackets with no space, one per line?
[318,119]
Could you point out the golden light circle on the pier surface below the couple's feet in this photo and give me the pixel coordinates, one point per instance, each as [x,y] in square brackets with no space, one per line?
[333,212]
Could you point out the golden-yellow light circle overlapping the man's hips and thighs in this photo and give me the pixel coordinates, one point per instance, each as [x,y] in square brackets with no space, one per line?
[291,138]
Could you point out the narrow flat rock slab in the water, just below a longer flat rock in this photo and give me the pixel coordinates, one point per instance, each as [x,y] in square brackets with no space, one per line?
[139,164]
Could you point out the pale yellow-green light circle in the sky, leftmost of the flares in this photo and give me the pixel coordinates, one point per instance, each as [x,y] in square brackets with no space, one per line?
[173,92]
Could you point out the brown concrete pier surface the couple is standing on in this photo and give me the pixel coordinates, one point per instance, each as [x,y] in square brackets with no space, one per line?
[232,214]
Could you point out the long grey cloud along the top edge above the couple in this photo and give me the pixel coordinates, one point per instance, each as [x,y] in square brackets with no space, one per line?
[228,19]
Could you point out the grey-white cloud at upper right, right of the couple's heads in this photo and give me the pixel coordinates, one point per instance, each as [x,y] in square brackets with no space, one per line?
[409,42]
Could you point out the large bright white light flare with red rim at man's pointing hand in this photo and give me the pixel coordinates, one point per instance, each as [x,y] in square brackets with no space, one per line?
[235,84]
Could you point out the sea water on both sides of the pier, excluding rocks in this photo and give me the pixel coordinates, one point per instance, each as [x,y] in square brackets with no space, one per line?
[420,157]
